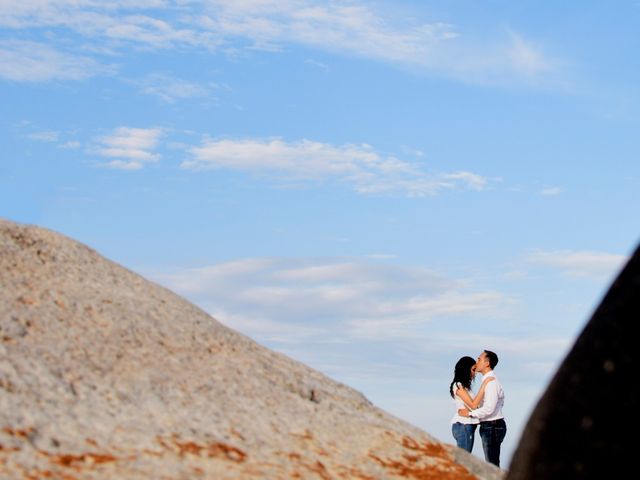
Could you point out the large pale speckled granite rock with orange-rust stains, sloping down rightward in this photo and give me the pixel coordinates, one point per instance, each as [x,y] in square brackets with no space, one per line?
[104,374]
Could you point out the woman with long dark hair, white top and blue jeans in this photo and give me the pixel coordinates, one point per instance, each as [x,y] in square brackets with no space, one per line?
[464,428]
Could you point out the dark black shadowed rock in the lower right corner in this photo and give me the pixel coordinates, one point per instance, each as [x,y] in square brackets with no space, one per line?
[584,424]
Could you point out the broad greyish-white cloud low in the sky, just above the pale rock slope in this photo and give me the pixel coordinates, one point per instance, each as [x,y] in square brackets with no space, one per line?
[352,299]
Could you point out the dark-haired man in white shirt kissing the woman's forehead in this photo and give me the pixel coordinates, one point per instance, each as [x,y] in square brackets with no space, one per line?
[492,425]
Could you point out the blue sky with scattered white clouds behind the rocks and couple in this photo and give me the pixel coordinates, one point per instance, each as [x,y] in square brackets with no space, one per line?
[374,188]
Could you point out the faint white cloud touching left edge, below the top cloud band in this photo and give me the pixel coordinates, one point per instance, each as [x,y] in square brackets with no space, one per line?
[24,61]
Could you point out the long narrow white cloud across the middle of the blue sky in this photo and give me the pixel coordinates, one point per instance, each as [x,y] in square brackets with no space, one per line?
[357,165]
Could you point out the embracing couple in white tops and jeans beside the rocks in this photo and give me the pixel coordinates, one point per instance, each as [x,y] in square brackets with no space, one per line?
[484,409]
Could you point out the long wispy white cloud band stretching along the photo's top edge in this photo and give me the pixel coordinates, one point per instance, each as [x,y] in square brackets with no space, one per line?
[353,28]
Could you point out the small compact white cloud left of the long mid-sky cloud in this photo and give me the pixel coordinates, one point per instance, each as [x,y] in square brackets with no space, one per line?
[130,148]
